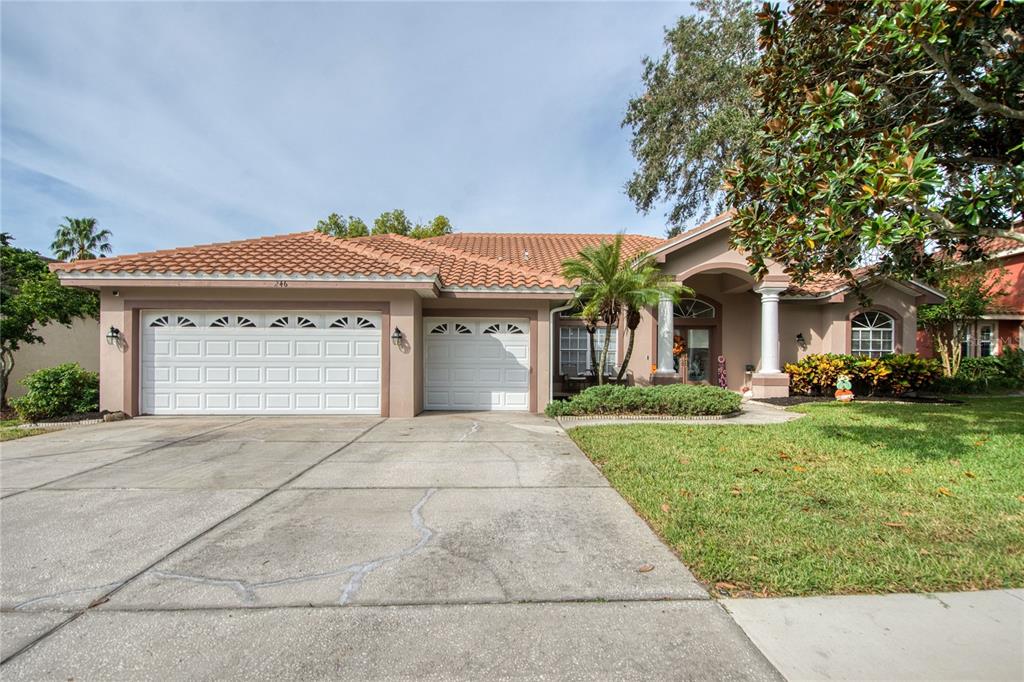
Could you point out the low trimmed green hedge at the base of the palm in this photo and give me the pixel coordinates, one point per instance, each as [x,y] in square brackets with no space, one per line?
[675,400]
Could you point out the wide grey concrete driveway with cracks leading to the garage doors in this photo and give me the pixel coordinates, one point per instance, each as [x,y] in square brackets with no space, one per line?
[448,546]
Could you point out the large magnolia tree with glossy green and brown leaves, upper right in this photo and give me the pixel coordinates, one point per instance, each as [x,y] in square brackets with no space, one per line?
[890,129]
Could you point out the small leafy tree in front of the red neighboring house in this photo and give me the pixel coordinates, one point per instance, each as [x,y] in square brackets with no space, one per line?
[971,292]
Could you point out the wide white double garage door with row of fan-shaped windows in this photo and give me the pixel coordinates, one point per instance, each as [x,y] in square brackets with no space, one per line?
[261,363]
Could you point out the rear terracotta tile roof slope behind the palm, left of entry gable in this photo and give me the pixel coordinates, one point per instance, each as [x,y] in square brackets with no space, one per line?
[539,251]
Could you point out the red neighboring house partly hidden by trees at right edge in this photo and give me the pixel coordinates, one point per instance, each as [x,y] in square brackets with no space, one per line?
[1001,328]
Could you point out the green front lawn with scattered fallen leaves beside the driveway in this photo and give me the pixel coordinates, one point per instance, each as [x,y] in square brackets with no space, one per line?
[864,498]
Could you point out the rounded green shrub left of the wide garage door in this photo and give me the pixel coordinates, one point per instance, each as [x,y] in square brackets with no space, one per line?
[59,392]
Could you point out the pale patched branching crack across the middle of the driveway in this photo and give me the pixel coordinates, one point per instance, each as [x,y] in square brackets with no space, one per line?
[248,591]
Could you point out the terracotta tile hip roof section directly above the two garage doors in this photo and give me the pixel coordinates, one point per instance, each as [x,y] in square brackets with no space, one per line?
[316,254]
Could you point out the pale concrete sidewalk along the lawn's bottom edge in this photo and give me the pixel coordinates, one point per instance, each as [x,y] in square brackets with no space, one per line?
[950,636]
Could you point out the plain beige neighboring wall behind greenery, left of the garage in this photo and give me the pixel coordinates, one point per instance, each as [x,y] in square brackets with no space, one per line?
[78,344]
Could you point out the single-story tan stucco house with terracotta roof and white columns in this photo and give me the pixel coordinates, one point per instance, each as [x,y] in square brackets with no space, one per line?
[311,324]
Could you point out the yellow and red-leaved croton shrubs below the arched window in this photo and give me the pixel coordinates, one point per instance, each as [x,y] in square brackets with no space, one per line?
[890,375]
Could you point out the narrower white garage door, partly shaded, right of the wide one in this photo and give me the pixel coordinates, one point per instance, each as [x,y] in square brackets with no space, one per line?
[476,364]
